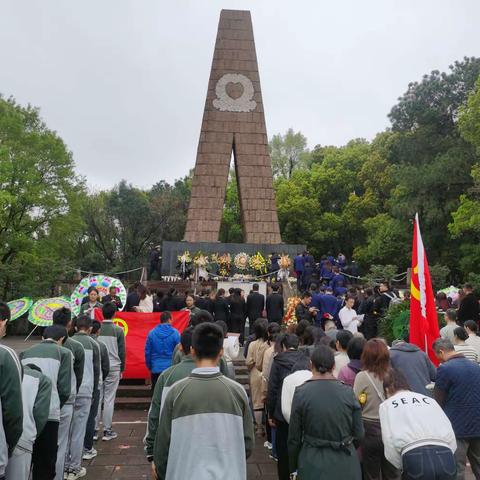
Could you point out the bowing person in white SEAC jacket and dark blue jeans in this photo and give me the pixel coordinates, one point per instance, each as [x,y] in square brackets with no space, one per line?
[416,432]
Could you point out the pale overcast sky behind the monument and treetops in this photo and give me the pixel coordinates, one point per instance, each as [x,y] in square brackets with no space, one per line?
[124,82]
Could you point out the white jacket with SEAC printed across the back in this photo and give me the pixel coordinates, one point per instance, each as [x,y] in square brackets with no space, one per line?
[410,420]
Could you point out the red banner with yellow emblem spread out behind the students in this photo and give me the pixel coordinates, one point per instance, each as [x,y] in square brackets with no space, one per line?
[136,327]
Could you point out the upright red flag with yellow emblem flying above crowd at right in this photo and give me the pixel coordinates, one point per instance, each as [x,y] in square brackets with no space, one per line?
[423,314]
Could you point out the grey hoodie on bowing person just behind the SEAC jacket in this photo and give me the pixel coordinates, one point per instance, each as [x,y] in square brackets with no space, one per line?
[415,366]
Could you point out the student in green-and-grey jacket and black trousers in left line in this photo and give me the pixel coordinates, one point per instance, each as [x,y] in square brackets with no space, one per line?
[56,363]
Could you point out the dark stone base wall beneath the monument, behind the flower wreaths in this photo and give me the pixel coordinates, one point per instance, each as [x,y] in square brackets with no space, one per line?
[171,251]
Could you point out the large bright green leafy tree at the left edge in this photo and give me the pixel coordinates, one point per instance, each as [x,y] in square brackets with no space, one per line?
[39,202]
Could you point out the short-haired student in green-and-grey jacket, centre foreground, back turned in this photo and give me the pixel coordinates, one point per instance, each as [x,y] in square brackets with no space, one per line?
[206,425]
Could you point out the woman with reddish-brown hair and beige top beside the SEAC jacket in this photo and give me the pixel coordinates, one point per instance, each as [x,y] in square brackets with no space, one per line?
[368,388]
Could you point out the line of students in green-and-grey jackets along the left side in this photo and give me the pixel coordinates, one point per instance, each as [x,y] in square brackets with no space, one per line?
[55,395]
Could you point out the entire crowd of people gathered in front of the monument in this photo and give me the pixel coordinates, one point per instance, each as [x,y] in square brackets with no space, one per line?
[327,397]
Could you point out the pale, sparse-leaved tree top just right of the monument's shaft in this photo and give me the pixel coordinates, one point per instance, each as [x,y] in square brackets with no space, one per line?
[288,153]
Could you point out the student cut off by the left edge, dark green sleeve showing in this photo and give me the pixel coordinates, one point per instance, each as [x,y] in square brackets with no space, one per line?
[11,412]
